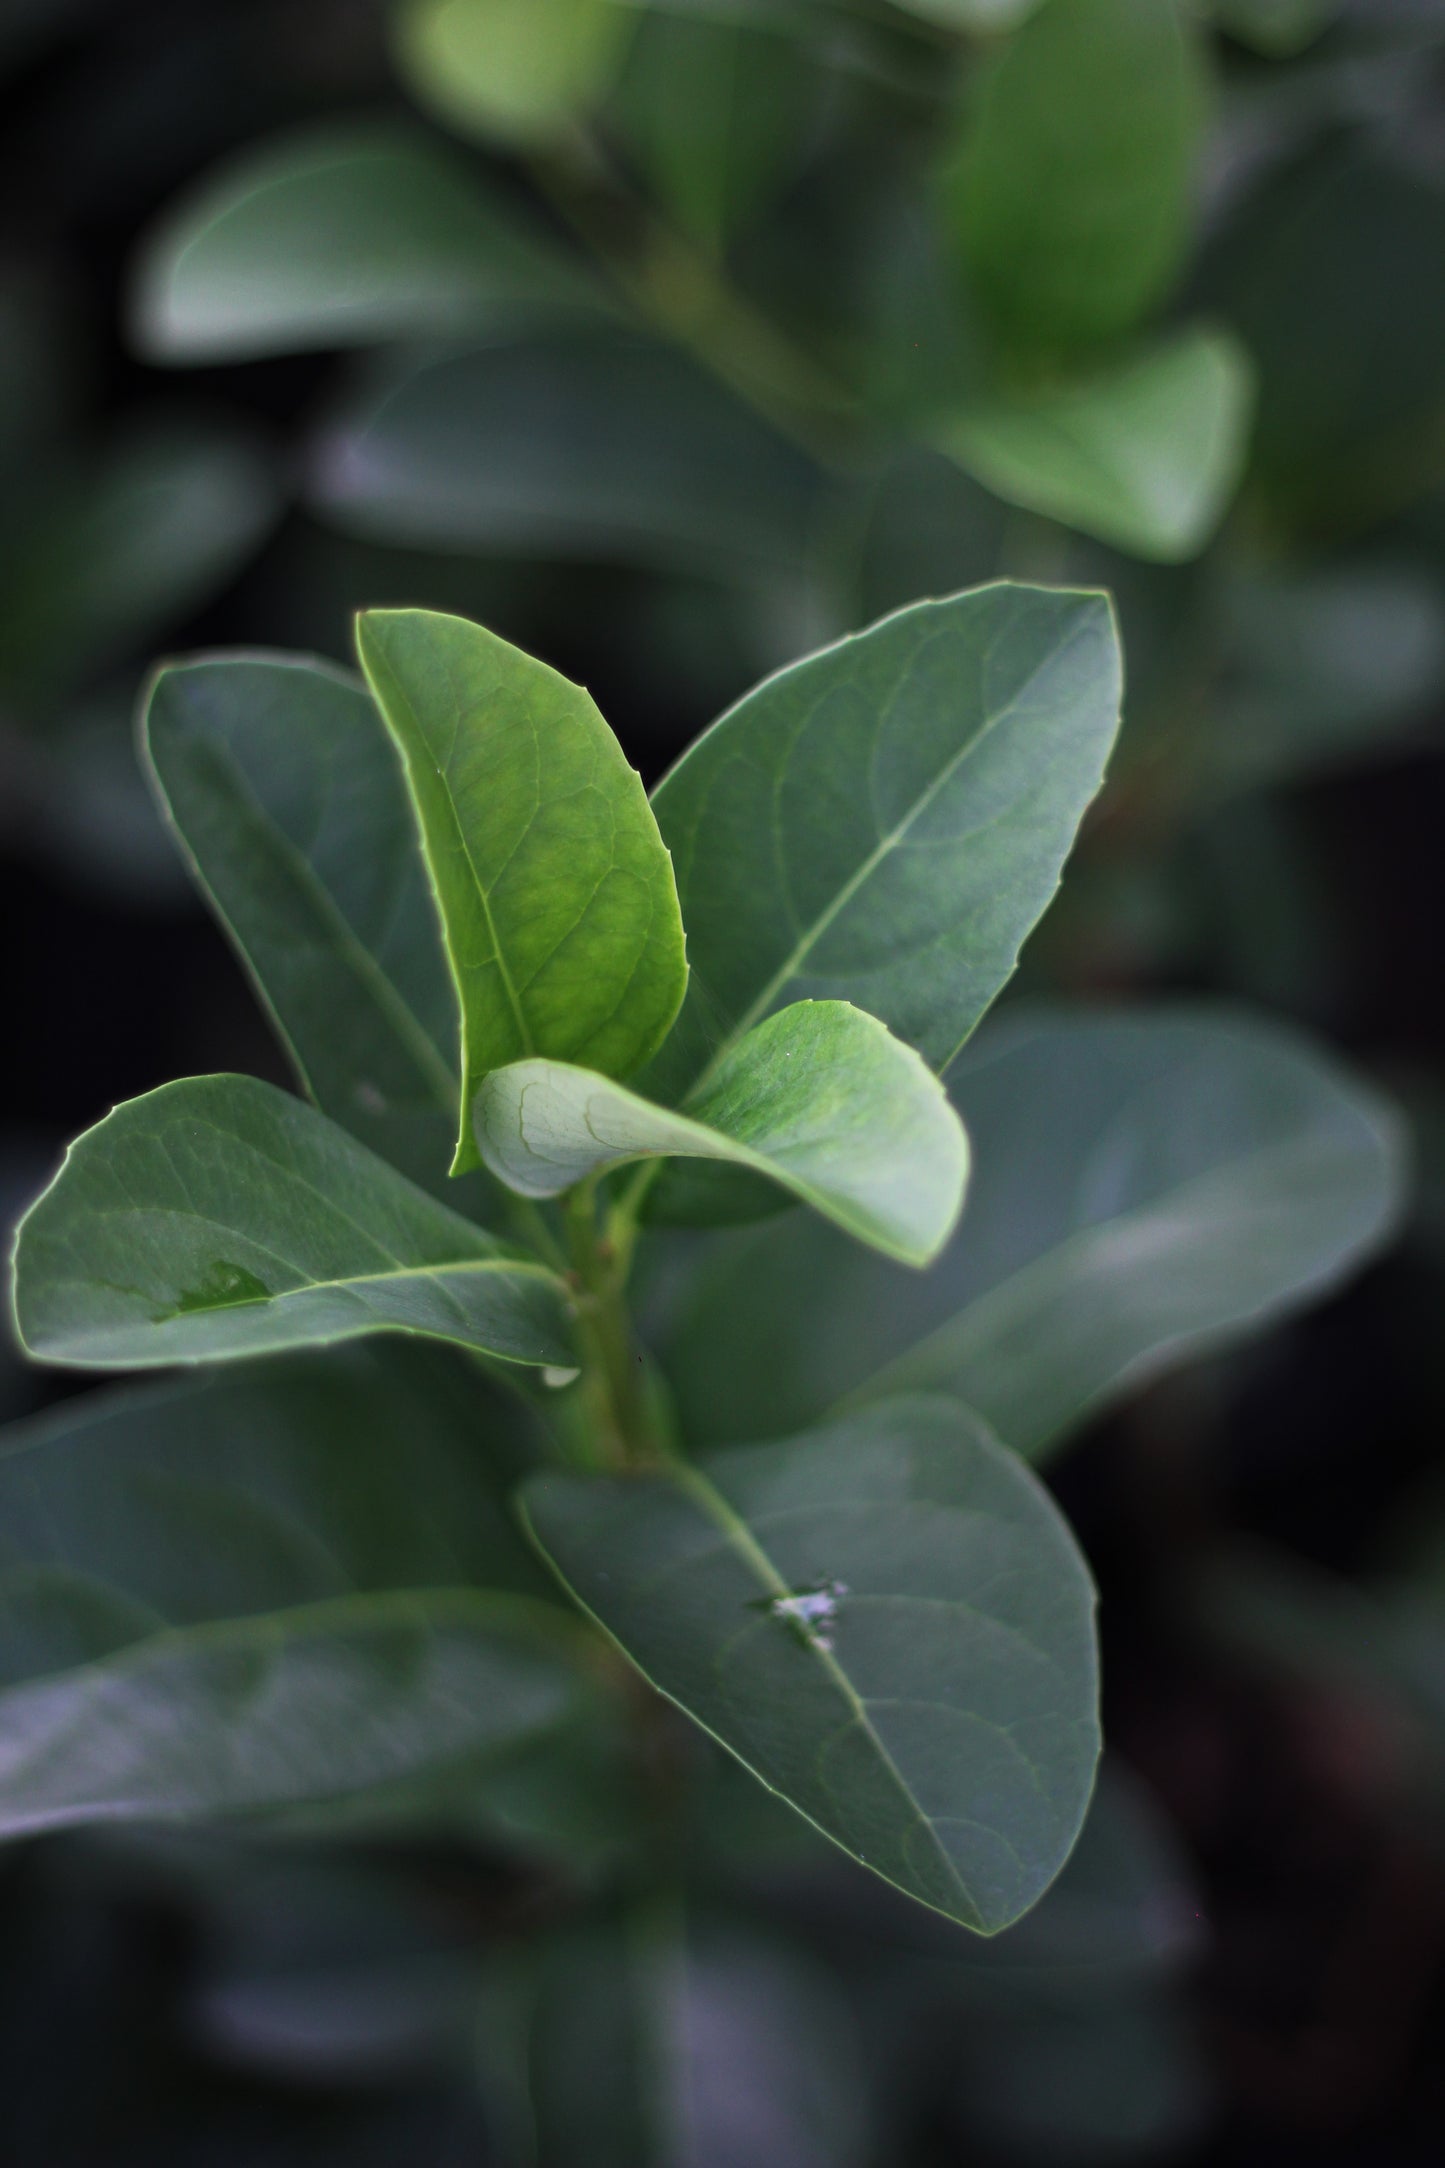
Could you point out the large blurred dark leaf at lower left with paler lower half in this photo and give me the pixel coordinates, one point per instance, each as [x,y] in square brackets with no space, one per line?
[265,1592]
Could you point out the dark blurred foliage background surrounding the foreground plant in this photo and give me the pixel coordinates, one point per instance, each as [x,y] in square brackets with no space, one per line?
[673,341]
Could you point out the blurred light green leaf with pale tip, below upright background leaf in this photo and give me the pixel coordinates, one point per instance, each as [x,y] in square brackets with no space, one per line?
[1145,456]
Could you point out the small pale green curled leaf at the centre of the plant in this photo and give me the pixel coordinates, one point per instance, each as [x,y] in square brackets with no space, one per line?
[818,1098]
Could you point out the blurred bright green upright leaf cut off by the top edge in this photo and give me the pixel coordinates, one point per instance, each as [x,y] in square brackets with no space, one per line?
[1071,185]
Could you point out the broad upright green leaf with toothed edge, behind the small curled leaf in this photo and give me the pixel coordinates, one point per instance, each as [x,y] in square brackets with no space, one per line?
[885,823]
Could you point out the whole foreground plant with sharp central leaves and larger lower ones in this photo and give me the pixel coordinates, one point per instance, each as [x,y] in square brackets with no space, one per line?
[309,1592]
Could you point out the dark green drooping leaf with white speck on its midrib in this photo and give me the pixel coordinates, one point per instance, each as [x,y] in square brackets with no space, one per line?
[885,1621]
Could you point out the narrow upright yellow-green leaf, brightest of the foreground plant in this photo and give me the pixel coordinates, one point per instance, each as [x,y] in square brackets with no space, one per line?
[554,883]
